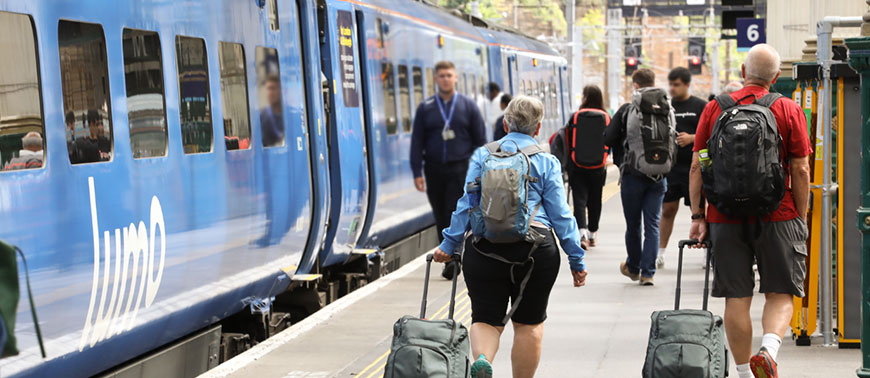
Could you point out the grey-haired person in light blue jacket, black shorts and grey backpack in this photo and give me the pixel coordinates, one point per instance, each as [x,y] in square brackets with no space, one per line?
[513,260]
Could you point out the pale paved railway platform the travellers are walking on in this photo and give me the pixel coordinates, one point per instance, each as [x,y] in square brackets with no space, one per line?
[599,330]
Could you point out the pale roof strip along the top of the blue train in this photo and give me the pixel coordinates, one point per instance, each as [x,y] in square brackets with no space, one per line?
[460,24]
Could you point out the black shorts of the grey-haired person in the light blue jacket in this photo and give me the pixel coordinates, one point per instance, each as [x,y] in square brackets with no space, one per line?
[491,284]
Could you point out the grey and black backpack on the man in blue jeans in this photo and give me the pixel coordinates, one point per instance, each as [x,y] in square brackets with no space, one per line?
[650,141]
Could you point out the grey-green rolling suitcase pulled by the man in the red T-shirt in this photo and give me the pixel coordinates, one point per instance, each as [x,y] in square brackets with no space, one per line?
[687,343]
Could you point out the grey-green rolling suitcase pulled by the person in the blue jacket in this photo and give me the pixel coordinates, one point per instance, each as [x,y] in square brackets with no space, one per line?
[423,348]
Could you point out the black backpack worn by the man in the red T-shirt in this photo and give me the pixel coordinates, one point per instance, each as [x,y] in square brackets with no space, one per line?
[746,178]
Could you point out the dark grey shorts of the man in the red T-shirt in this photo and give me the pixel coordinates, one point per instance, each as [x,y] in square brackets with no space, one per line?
[780,251]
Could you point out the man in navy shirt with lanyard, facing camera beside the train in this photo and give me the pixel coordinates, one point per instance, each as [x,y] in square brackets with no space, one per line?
[447,128]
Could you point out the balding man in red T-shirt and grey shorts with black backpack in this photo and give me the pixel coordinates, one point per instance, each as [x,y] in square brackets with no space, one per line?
[765,222]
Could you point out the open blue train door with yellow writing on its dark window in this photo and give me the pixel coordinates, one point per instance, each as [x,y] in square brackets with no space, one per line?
[348,166]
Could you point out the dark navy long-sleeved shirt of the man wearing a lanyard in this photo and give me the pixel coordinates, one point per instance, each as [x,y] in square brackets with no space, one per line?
[427,142]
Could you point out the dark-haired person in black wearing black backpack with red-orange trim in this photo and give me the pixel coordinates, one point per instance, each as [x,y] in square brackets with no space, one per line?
[585,159]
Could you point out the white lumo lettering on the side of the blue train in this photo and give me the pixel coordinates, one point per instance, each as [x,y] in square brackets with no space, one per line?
[117,309]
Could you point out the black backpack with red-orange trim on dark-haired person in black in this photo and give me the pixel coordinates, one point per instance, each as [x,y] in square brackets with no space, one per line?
[584,139]
